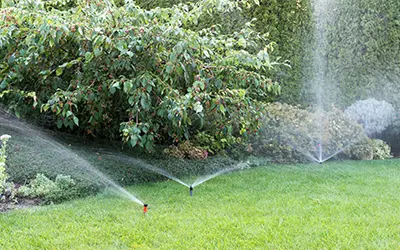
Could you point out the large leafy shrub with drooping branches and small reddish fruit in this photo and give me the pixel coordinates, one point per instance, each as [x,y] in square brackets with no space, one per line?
[133,72]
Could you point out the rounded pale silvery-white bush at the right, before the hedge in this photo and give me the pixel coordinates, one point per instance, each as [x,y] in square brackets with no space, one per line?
[375,116]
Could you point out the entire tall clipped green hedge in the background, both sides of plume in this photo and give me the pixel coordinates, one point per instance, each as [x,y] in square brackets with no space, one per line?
[363,52]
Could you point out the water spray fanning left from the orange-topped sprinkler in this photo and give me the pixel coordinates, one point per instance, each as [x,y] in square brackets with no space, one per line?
[48,152]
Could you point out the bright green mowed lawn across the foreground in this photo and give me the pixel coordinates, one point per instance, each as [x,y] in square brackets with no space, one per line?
[337,205]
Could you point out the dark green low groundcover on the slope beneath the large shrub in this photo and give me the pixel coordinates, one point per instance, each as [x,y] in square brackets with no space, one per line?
[32,150]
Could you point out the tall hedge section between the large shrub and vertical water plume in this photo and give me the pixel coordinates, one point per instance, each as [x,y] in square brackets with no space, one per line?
[288,24]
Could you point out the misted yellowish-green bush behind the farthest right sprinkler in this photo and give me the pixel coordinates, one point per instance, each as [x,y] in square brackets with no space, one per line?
[293,134]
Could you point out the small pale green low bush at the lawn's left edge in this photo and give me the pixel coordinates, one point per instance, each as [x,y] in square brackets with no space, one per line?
[62,188]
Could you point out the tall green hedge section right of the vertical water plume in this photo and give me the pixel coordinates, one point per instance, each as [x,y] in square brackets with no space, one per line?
[364,50]
